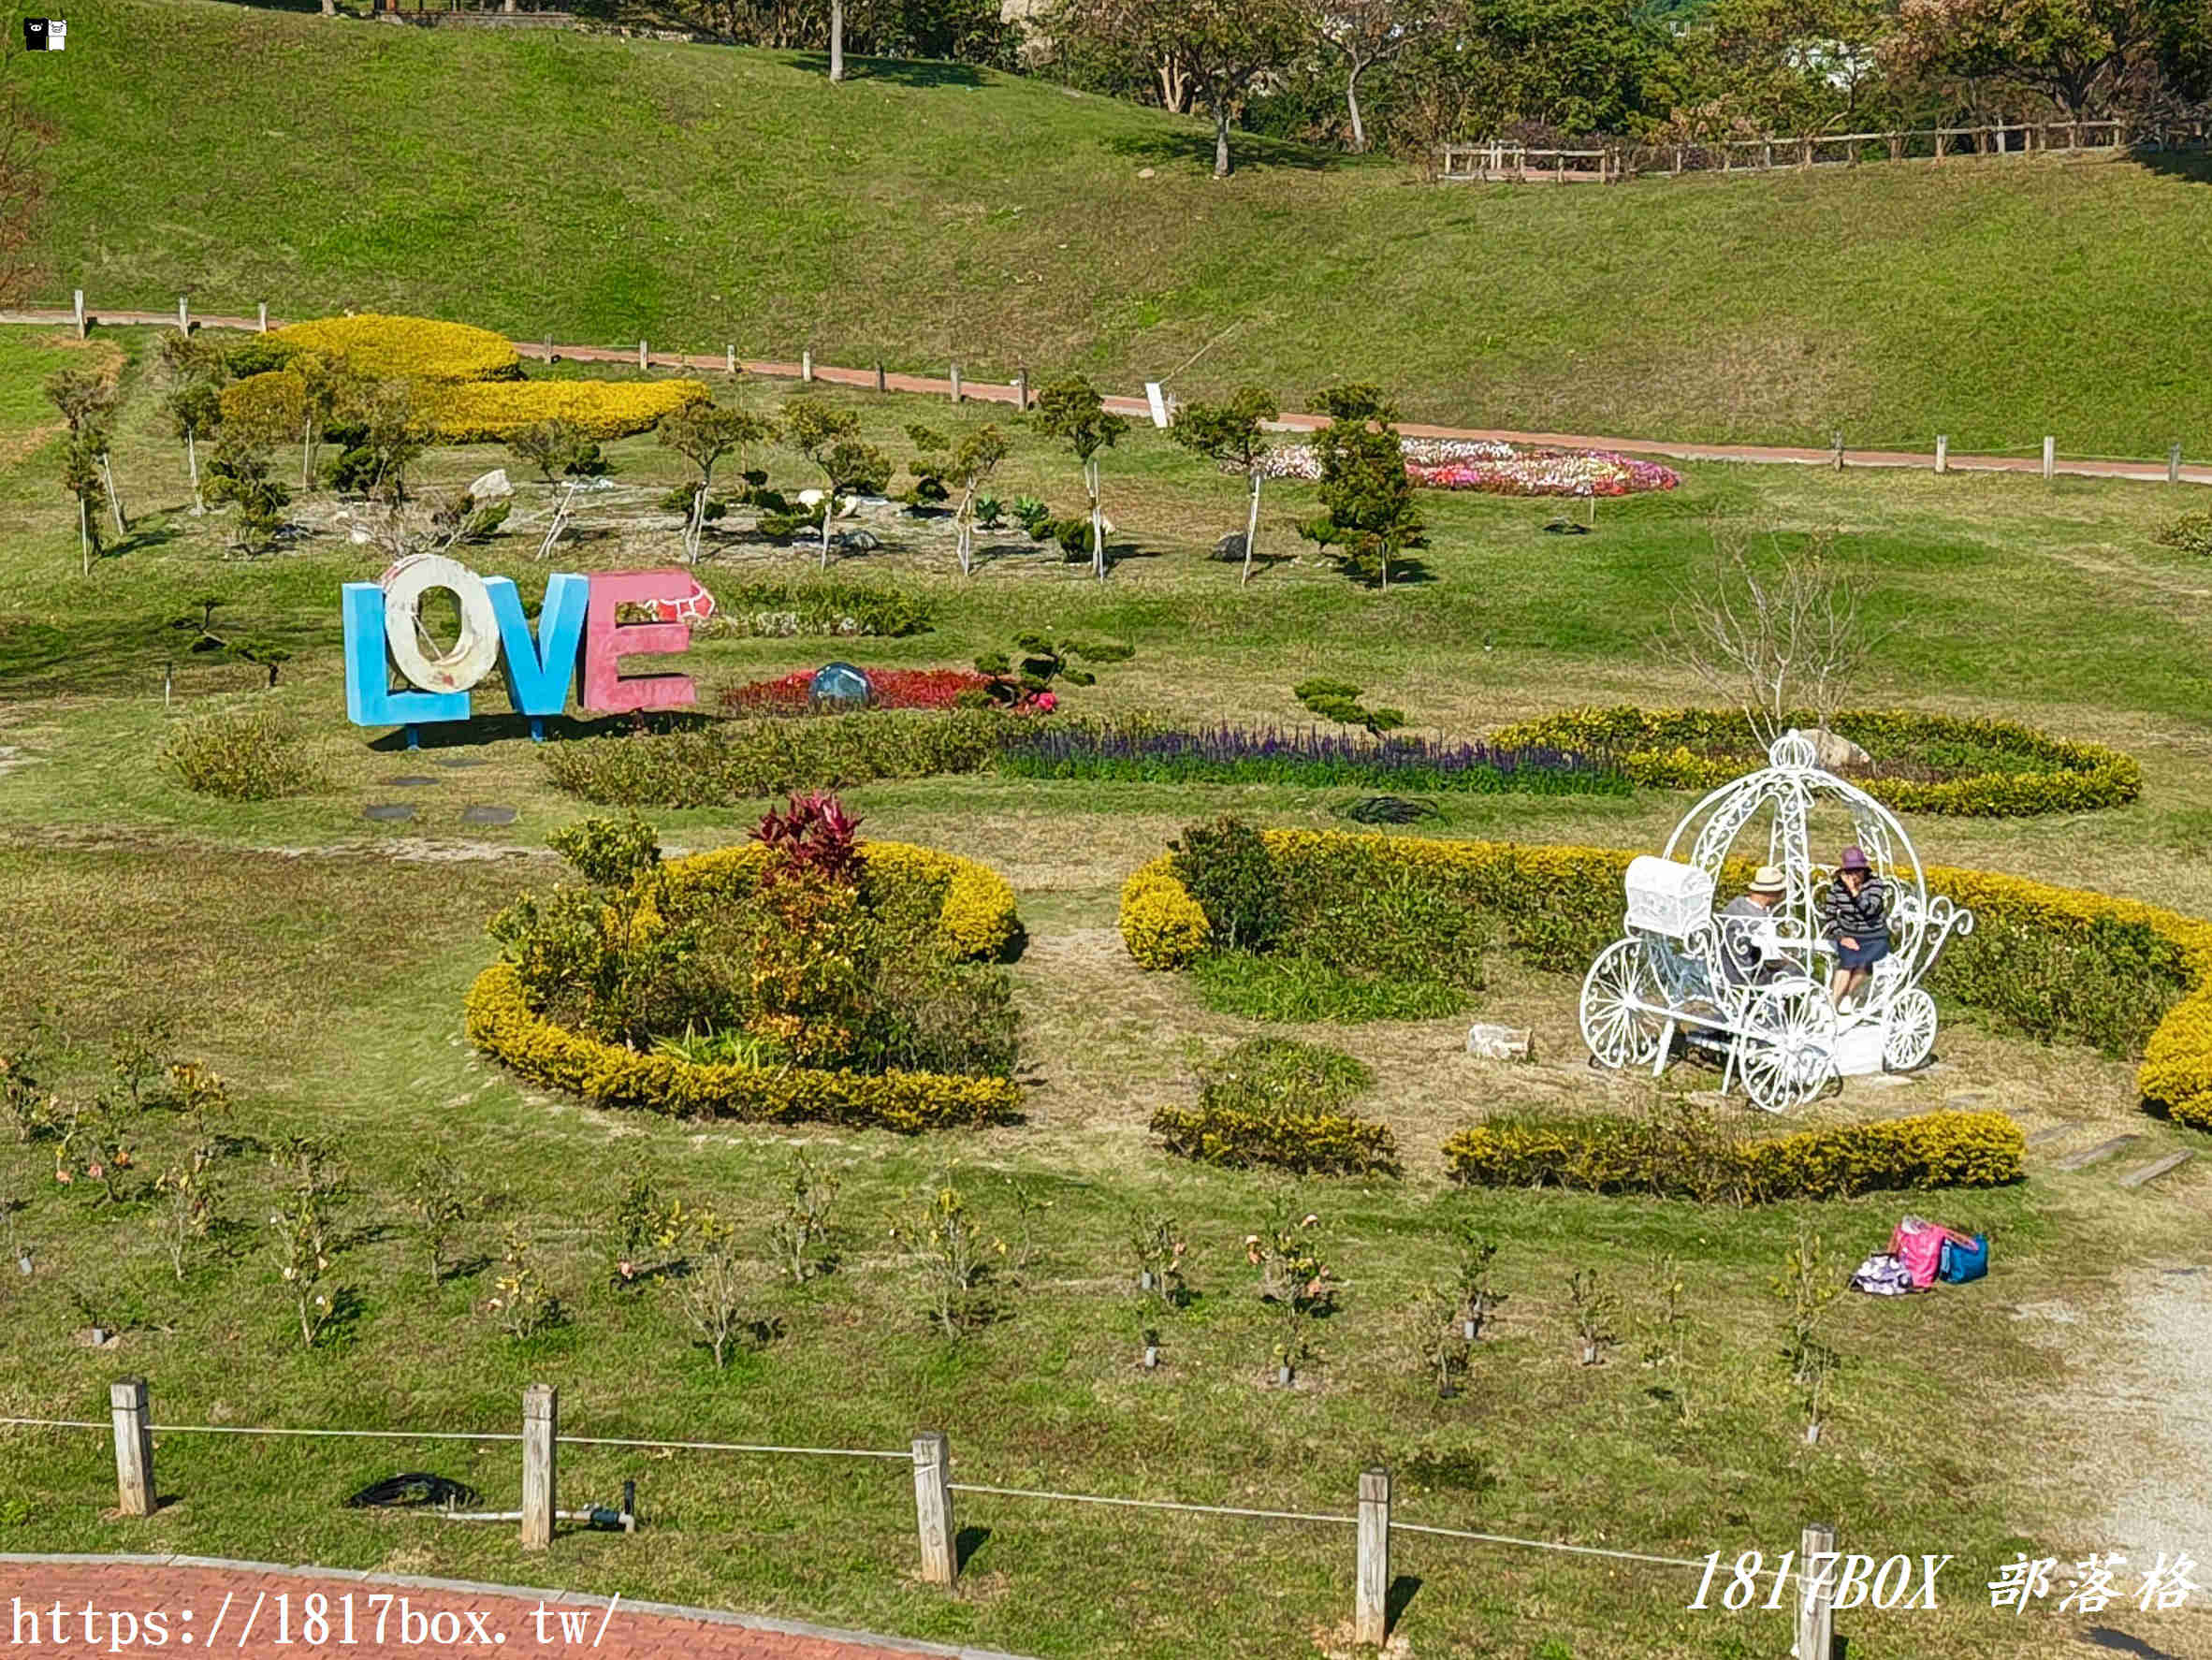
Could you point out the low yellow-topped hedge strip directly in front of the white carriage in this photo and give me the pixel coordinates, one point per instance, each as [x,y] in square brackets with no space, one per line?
[1642,1156]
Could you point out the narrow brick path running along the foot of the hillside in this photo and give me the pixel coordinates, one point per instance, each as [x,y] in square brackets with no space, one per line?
[992,393]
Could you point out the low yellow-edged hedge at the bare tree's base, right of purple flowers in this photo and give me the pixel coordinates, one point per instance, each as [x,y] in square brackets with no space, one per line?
[1923,762]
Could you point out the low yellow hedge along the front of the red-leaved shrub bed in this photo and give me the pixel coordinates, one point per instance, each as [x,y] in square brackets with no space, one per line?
[501,1021]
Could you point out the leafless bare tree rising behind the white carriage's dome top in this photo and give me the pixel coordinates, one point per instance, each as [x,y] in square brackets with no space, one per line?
[1777,634]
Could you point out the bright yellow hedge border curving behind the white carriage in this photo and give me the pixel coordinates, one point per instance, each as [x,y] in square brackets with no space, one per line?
[2178,1061]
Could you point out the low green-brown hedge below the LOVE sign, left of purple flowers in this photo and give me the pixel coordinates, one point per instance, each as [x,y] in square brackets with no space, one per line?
[742,760]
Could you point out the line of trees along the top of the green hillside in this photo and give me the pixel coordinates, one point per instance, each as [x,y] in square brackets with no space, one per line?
[1410,76]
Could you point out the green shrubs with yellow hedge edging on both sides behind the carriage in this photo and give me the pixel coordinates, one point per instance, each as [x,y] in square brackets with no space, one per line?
[2065,964]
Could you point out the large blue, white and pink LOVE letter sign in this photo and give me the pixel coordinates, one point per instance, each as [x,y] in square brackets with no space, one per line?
[578,625]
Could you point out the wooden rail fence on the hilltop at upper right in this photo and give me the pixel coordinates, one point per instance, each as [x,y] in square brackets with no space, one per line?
[1614,163]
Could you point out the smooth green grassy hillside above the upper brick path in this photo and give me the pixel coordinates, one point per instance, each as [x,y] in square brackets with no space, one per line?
[607,189]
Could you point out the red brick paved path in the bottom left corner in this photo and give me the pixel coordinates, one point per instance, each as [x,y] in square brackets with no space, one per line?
[169,1606]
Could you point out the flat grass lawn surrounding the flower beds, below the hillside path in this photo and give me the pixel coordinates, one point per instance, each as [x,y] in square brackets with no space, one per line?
[317,962]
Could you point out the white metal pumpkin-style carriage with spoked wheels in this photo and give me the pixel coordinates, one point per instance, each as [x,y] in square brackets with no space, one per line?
[1673,971]
